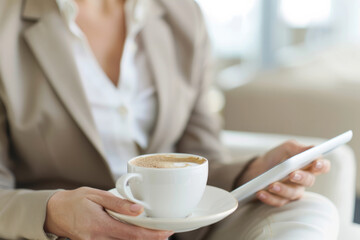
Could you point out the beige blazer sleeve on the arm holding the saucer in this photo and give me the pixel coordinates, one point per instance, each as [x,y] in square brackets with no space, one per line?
[22,212]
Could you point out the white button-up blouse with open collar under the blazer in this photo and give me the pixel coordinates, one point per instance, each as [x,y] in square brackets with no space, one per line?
[125,114]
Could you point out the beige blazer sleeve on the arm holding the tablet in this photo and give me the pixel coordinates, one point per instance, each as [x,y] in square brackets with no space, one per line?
[201,135]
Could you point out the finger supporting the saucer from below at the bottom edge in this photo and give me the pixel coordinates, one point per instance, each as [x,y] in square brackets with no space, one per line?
[121,230]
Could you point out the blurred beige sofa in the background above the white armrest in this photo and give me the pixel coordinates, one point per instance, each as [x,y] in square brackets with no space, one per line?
[316,96]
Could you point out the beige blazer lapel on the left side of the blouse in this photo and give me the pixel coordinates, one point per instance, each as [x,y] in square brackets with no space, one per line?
[50,42]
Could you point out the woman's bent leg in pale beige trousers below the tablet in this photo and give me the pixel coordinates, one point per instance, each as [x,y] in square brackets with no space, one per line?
[312,217]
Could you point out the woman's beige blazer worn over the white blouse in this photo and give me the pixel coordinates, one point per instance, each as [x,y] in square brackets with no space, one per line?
[48,138]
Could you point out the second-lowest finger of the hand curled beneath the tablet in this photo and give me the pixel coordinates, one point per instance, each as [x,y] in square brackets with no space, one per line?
[289,191]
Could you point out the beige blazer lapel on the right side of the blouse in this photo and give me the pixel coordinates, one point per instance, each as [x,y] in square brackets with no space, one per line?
[159,52]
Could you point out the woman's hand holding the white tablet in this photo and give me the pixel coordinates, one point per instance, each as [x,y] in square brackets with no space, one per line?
[291,188]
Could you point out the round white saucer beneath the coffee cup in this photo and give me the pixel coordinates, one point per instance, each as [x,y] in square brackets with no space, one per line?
[215,205]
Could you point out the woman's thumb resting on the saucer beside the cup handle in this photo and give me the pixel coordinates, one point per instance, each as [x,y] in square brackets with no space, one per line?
[116,204]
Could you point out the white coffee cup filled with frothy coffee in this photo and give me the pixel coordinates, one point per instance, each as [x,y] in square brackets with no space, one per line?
[171,191]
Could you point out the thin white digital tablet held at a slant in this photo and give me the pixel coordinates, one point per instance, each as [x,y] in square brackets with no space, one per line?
[247,191]
